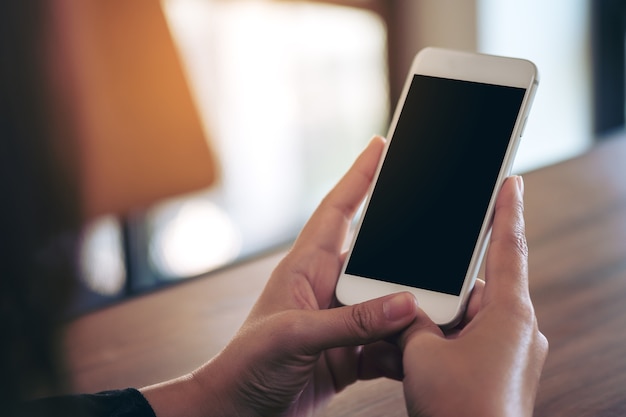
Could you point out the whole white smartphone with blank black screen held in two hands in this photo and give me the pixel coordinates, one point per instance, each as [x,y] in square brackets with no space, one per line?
[451,144]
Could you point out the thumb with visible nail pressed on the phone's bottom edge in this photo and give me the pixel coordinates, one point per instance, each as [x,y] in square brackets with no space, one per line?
[361,323]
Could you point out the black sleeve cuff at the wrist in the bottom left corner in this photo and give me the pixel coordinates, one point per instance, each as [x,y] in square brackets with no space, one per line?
[121,403]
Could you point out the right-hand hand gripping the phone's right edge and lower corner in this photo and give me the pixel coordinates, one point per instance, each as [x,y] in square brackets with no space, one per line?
[491,365]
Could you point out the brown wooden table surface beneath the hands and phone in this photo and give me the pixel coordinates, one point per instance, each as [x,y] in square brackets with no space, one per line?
[576,228]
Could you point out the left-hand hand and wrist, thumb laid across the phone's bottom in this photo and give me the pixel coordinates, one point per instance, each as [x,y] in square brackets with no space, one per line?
[295,350]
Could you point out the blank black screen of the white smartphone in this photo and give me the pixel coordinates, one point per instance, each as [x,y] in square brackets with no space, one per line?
[427,207]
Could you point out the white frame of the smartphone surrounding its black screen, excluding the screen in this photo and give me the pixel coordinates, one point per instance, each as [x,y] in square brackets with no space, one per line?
[444,309]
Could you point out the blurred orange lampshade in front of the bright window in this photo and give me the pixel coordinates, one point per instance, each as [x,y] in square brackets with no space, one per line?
[139,136]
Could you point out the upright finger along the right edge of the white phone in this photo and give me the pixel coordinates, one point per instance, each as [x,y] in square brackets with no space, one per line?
[506,269]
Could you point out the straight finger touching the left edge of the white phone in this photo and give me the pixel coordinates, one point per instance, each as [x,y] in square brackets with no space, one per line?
[327,226]
